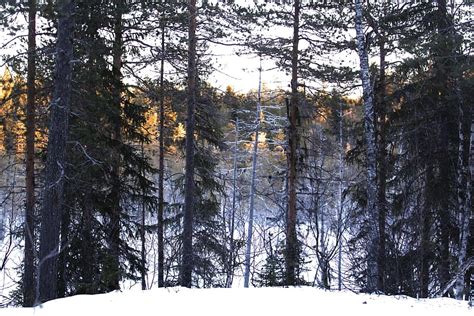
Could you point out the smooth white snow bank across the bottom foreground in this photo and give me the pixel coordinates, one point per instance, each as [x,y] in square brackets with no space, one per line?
[240,301]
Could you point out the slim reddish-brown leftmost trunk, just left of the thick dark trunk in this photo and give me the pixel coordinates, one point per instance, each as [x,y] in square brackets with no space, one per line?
[29,235]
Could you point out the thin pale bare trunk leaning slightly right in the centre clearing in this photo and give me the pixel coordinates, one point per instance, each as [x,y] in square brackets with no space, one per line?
[248,250]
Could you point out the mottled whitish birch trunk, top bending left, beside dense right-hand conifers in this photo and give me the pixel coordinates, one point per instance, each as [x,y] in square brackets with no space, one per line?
[371,155]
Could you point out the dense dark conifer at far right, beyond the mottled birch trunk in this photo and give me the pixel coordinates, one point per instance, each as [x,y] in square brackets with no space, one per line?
[429,129]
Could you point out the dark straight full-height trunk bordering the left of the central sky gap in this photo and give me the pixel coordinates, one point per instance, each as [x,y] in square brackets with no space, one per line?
[187,257]
